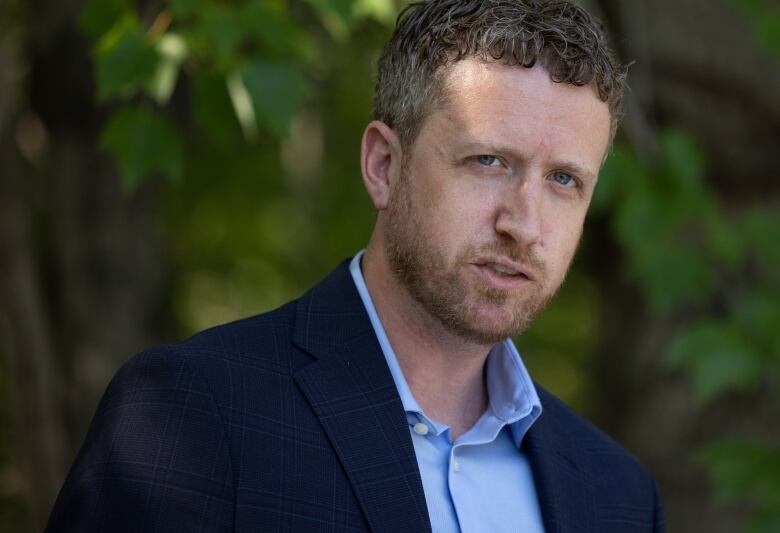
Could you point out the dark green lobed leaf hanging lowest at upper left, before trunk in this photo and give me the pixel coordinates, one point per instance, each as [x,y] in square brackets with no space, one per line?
[143,143]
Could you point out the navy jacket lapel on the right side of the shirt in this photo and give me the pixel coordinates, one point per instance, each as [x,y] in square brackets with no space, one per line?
[561,472]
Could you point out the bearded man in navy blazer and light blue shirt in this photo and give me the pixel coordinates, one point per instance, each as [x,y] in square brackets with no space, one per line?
[389,397]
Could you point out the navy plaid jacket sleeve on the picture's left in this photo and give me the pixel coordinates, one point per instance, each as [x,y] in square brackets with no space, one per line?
[156,457]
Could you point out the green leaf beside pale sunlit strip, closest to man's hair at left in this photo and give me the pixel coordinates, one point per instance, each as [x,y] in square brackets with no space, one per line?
[277,90]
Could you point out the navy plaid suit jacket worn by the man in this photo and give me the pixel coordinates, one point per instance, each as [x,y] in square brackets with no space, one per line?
[290,421]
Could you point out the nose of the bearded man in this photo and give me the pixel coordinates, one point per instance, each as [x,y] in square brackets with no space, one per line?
[520,211]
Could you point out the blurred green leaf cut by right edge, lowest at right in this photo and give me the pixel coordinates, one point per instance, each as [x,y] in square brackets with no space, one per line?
[740,469]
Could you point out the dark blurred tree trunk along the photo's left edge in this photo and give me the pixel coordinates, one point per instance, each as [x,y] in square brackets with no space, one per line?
[81,267]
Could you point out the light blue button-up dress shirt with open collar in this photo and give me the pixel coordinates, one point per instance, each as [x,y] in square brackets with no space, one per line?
[482,482]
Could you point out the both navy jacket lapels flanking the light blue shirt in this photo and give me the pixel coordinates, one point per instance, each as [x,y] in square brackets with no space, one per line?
[352,392]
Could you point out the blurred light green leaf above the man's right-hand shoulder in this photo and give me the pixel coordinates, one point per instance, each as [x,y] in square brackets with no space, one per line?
[718,357]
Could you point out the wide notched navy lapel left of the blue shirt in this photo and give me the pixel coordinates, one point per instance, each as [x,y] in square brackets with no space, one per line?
[353,394]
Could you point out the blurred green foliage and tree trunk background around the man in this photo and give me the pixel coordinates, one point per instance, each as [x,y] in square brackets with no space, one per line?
[167,165]
